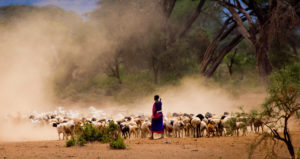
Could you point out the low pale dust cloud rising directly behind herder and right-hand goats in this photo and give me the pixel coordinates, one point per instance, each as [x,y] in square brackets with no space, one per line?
[197,95]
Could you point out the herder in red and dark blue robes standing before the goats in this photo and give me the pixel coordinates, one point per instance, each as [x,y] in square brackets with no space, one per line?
[157,118]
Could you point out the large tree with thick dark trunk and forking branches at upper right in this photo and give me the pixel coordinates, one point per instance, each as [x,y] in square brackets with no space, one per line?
[264,18]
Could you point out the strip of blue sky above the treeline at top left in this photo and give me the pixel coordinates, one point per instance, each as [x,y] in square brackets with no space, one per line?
[80,6]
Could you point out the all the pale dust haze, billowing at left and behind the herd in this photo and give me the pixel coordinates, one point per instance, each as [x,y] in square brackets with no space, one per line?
[38,46]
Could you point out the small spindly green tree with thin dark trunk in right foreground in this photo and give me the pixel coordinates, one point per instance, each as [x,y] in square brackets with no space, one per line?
[281,105]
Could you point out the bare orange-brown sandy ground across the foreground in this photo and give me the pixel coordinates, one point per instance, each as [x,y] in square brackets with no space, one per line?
[187,148]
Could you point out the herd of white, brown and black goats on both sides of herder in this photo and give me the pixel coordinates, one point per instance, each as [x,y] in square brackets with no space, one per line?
[175,125]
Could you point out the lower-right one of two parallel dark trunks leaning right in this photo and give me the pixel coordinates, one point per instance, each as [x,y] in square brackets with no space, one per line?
[224,52]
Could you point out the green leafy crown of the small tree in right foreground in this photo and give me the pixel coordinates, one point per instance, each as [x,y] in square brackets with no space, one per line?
[284,90]
